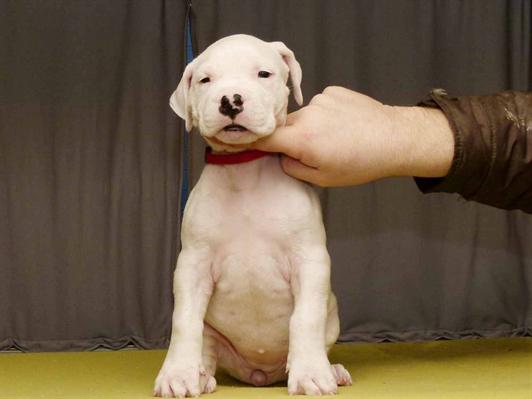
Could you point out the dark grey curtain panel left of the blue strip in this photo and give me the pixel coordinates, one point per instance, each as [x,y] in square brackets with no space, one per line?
[89,170]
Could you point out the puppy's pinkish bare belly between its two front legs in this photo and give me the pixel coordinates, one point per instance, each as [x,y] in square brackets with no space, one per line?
[251,306]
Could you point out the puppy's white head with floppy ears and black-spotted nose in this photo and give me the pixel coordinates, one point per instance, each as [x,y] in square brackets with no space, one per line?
[235,91]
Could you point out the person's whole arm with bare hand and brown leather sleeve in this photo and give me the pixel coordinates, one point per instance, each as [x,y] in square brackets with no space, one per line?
[479,147]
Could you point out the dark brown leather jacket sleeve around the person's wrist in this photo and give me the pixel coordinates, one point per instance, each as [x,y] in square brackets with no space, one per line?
[492,162]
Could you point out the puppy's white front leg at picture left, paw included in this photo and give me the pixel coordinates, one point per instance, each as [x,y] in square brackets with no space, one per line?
[182,370]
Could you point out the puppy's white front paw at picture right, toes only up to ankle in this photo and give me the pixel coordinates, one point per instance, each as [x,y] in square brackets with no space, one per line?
[311,377]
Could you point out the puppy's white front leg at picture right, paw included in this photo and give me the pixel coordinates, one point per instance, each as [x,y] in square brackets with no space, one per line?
[308,366]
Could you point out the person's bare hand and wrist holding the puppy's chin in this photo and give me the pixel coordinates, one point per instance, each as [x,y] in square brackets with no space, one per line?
[345,138]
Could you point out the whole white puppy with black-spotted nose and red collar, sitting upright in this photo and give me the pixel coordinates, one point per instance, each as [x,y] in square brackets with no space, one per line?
[252,283]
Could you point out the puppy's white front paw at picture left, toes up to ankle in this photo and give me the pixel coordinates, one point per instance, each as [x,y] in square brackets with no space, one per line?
[182,380]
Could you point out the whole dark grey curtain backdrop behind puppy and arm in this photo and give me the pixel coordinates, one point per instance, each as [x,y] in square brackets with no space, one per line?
[90,166]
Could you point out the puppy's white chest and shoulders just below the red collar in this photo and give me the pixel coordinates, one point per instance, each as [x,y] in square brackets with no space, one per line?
[249,232]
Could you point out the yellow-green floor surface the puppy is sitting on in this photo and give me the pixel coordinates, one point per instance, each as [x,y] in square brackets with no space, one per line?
[500,368]
